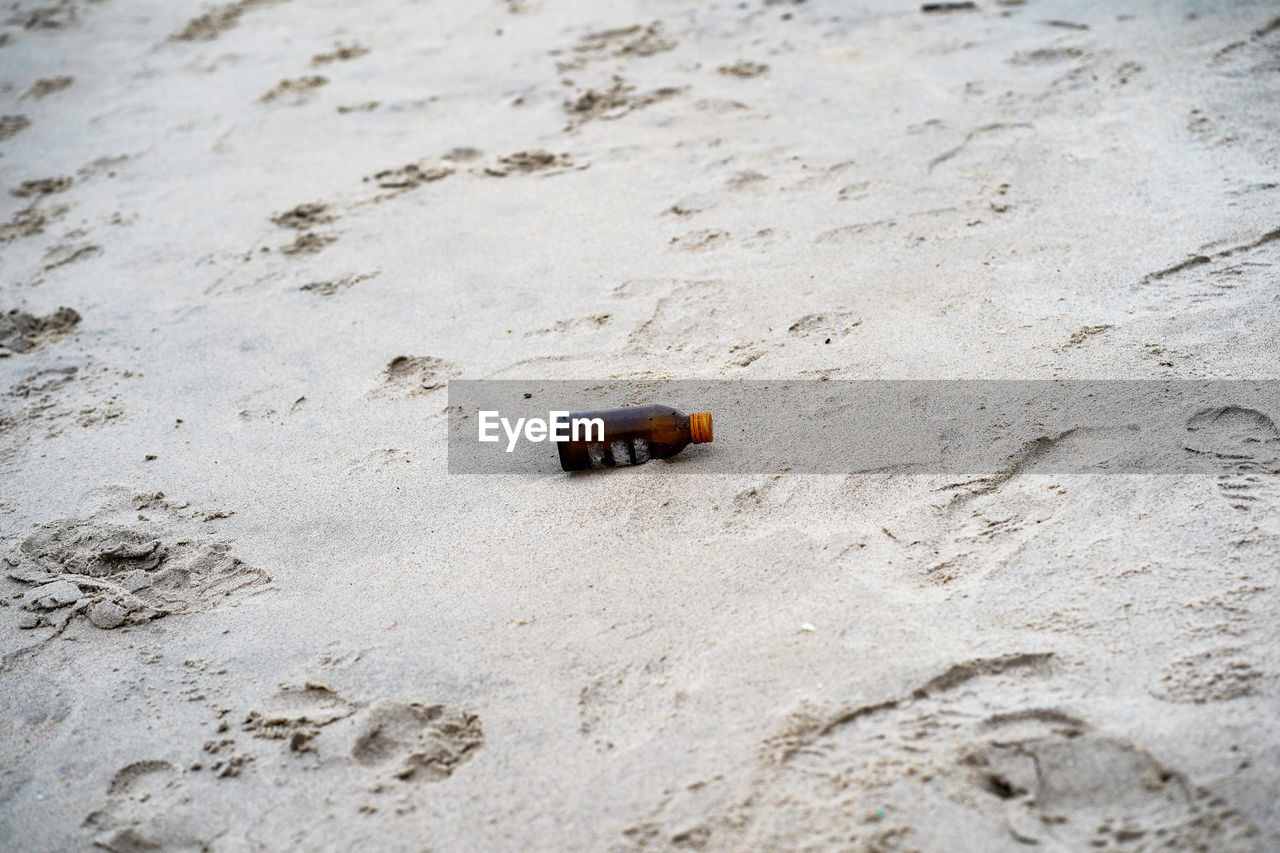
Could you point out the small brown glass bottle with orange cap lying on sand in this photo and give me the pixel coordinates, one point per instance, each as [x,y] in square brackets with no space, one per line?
[630,436]
